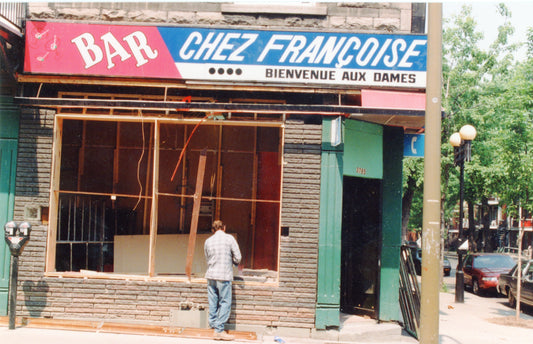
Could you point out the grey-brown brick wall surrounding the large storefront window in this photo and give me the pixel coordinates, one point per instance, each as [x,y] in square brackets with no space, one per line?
[289,304]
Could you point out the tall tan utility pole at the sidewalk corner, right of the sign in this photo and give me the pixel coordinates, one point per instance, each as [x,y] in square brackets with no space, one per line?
[429,301]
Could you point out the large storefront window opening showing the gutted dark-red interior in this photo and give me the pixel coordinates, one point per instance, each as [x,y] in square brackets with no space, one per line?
[105,192]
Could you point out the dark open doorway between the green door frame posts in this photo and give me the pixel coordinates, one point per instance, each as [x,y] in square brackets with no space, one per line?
[361,242]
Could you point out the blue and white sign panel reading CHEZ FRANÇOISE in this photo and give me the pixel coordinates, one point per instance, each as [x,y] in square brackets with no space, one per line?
[304,57]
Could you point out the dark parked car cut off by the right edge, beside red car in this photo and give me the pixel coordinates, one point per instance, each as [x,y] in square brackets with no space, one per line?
[507,284]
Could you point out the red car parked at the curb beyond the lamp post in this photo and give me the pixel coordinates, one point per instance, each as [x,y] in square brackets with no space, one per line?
[481,270]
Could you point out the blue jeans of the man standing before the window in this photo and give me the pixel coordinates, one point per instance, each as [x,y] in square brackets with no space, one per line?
[219,298]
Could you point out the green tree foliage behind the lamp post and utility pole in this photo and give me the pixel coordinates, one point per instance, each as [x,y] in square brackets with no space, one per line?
[491,91]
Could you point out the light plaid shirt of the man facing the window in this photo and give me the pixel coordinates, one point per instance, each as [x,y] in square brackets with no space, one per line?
[222,252]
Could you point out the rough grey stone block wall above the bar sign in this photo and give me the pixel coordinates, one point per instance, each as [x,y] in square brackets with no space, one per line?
[390,17]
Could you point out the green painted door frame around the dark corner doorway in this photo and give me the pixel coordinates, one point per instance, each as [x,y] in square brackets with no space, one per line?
[329,246]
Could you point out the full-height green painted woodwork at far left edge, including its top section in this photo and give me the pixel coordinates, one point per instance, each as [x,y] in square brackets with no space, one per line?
[9,125]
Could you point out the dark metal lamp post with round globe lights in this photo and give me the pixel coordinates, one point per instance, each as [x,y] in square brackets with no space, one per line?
[461,143]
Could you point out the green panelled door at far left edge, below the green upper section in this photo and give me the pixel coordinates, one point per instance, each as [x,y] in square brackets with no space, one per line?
[8,159]
